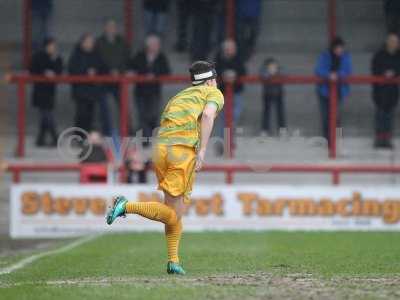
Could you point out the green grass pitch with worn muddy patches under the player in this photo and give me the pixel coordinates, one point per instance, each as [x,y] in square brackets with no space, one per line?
[219,265]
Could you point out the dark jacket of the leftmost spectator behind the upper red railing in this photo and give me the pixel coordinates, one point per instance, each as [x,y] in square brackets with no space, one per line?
[43,95]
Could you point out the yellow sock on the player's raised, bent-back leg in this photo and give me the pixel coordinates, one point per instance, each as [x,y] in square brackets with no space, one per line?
[152,210]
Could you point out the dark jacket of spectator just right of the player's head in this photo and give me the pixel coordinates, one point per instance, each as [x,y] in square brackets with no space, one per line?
[235,63]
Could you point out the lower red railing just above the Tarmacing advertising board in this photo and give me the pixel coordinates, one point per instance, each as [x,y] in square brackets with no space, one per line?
[334,170]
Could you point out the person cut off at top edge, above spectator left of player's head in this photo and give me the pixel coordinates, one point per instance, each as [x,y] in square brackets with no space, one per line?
[155,16]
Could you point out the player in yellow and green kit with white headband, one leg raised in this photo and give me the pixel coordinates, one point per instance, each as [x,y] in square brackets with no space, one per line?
[185,129]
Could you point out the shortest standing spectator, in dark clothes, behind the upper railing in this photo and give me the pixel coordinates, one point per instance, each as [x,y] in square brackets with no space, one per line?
[273,96]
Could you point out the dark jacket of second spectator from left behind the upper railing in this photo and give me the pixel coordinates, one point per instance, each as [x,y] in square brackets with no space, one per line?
[79,64]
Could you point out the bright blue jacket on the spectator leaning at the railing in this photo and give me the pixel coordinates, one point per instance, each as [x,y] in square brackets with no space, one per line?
[323,69]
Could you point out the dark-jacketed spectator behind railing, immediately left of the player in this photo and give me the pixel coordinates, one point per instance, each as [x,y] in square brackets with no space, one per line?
[150,62]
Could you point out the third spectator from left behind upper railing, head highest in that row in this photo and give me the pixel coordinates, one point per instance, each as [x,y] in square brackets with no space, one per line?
[114,53]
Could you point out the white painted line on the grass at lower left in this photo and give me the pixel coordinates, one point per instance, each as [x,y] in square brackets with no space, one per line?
[28,260]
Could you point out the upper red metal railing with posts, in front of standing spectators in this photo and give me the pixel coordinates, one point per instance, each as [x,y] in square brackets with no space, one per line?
[124,81]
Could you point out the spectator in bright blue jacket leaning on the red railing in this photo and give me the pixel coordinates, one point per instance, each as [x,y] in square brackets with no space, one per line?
[332,64]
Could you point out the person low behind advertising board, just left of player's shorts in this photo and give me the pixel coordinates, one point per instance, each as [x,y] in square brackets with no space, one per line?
[136,167]
